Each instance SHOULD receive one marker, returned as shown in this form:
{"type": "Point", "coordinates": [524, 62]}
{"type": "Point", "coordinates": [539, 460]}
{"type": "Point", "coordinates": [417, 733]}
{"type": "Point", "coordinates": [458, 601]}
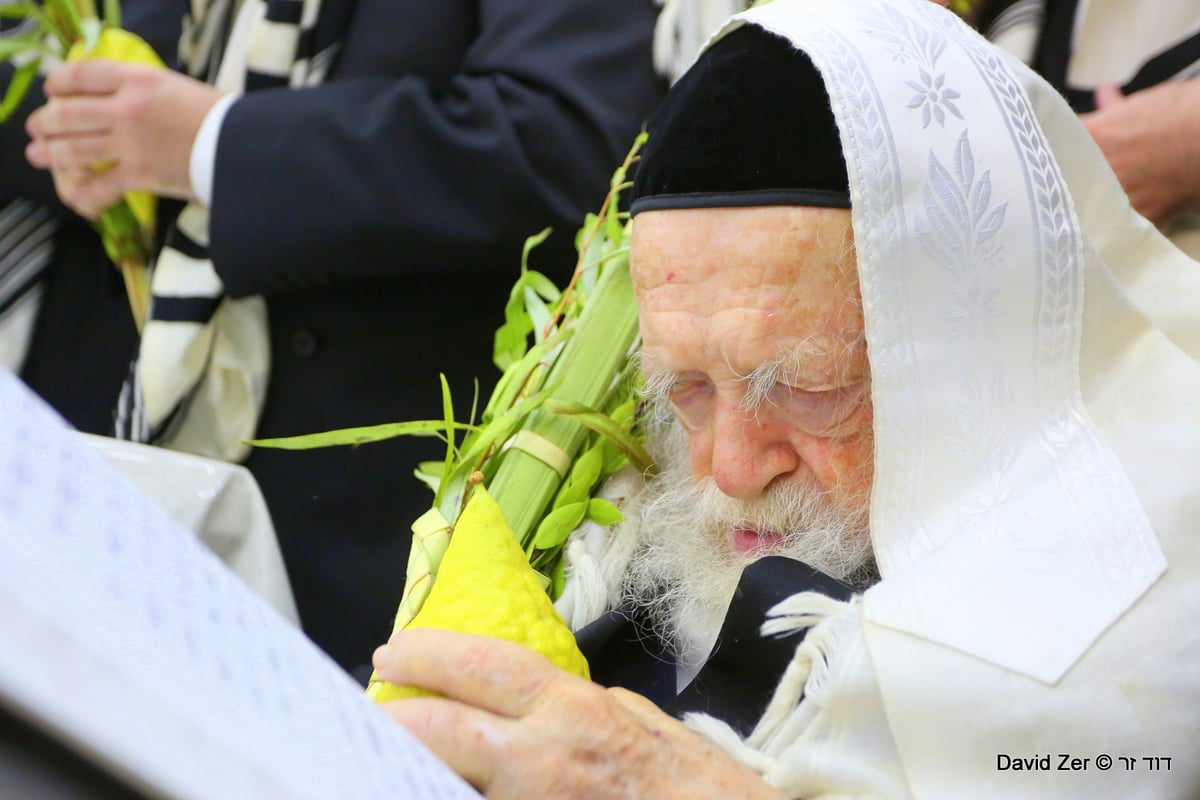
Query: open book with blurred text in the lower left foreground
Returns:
{"type": "Point", "coordinates": [129, 645]}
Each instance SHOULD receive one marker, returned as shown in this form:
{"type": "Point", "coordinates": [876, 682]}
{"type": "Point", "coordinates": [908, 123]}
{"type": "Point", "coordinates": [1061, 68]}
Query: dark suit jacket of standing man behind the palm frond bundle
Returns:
{"type": "Point", "coordinates": [382, 215]}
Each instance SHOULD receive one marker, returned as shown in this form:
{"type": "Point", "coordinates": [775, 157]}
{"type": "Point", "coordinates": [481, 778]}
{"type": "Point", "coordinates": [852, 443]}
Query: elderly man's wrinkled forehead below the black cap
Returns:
{"type": "Point", "coordinates": [746, 287]}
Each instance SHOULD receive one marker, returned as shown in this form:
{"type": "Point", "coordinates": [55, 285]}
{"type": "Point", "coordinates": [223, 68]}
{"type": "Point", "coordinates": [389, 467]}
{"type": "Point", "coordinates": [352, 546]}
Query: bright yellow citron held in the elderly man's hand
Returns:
{"type": "Point", "coordinates": [487, 586]}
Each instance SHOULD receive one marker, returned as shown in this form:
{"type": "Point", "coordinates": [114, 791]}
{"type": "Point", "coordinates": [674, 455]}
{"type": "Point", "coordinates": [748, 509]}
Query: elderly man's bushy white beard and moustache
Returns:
{"type": "Point", "coordinates": [683, 570]}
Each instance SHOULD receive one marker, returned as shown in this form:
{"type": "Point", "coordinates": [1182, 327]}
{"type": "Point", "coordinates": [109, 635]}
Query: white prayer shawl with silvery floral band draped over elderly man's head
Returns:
{"type": "Point", "coordinates": [1036, 510]}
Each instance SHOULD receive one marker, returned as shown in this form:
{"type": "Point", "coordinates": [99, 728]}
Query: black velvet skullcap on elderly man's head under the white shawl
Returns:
{"type": "Point", "coordinates": [748, 125]}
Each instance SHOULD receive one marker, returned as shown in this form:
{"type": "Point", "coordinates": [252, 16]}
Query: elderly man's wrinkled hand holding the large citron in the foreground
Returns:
{"type": "Point", "coordinates": [517, 726]}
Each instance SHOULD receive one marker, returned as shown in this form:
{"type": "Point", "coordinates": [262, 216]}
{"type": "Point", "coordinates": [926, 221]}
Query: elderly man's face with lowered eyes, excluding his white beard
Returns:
{"type": "Point", "coordinates": [753, 332]}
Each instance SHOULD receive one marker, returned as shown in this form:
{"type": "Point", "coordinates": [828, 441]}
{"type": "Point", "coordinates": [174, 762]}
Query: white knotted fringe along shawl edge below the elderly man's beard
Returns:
{"type": "Point", "coordinates": [776, 747]}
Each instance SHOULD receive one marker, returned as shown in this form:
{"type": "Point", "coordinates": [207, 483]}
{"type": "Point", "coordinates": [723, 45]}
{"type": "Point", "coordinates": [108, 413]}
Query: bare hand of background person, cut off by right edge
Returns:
{"type": "Point", "coordinates": [1153, 142]}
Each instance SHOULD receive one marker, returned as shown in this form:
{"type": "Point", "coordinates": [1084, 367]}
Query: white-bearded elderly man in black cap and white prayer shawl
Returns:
{"type": "Point", "coordinates": [908, 332]}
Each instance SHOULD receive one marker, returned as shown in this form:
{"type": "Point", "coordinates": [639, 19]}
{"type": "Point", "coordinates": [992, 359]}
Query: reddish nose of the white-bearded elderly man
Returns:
{"type": "Point", "coordinates": [749, 452]}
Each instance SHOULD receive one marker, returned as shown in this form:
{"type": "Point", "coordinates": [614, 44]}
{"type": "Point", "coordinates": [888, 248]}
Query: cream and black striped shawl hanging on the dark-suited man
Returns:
{"type": "Point", "coordinates": [201, 375]}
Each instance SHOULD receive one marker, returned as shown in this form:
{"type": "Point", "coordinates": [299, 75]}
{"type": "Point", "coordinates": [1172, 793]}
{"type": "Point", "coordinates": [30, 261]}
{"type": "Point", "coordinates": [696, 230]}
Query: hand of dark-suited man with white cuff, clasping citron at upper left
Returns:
{"type": "Point", "coordinates": [139, 122]}
